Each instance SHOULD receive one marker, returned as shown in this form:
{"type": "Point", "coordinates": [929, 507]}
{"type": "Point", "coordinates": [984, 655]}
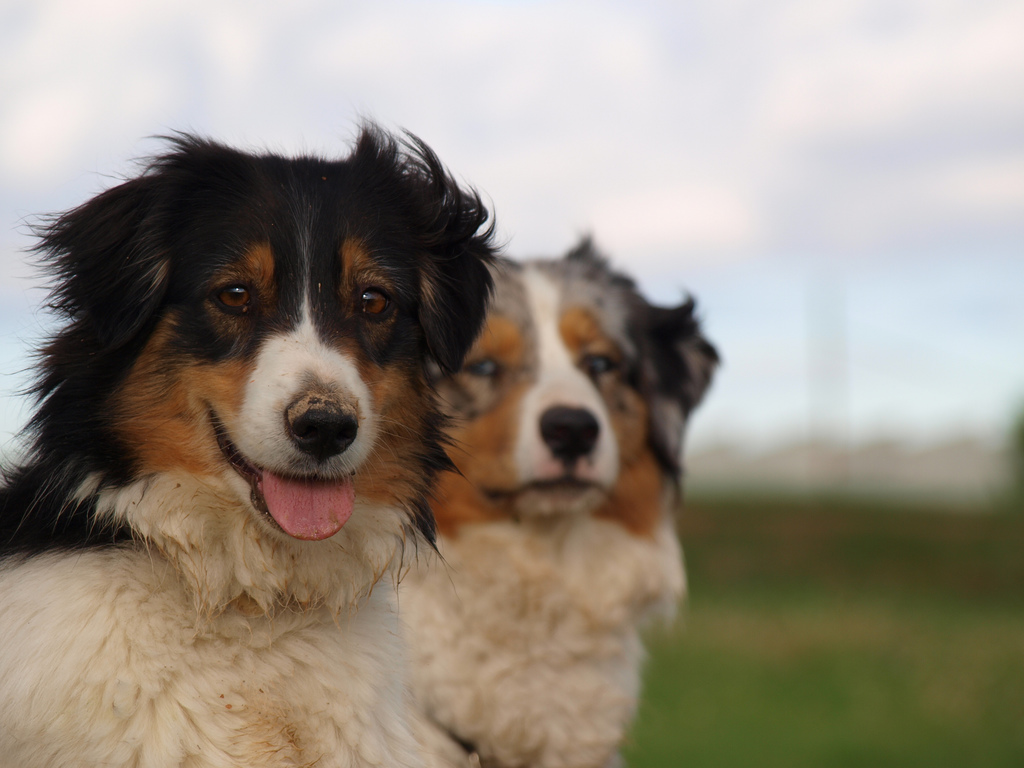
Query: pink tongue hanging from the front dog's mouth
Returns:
{"type": "Point", "coordinates": [309, 509]}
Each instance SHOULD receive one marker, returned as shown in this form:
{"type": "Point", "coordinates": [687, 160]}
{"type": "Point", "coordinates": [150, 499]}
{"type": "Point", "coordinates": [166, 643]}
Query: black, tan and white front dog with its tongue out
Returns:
{"type": "Point", "coordinates": [235, 443]}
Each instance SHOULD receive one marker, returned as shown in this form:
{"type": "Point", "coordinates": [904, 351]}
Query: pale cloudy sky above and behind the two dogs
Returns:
{"type": "Point", "coordinates": [840, 185]}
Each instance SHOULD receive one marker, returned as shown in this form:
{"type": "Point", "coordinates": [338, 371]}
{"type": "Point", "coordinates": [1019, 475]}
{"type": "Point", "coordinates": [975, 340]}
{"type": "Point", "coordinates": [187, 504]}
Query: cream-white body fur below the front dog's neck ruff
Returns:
{"type": "Point", "coordinates": [106, 663]}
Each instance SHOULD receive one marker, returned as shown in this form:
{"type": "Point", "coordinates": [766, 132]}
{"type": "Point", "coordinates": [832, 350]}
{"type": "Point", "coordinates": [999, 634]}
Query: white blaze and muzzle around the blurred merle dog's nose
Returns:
{"type": "Point", "coordinates": [560, 382]}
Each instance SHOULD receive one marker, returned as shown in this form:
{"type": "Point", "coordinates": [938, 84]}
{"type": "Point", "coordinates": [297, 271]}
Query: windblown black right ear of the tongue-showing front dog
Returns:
{"type": "Point", "coordinates": [456, 283]}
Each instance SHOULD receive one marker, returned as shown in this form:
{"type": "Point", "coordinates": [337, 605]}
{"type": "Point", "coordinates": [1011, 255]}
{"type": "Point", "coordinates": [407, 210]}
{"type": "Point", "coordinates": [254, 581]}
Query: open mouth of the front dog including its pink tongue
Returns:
{"type": "Point", "coordinates": [305, 508]}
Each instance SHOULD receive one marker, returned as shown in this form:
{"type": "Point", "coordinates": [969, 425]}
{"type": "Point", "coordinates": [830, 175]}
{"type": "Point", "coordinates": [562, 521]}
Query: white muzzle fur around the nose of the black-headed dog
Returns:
{"type": "Point", "coordinates": [285, 368]}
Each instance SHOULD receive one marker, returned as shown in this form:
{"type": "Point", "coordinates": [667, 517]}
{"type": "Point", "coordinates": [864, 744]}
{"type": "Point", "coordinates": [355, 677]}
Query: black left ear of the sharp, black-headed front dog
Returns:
{"type": "Point", "coordinates": [110, 271]}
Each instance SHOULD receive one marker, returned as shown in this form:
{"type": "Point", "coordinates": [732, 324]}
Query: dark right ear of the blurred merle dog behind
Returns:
{"type": "Point", "coordinates": [677, 368]}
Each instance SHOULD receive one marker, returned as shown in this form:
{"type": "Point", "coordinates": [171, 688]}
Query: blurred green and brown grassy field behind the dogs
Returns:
{"type": "Point", "coordinates": [840, 635]}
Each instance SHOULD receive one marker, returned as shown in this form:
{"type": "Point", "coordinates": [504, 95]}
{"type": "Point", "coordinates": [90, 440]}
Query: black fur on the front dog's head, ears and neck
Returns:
{"type": "Point", "coordinates": [148, 248]}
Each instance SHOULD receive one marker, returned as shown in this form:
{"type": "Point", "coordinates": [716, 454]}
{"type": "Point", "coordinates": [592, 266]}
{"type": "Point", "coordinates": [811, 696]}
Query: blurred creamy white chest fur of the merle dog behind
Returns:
{"type": "Point", "coordinates": [528, 644]}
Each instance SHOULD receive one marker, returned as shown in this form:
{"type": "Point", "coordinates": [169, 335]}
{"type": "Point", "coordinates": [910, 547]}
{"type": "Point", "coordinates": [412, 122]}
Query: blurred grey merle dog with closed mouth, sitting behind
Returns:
{"type": "Point", "coordinates": [559, 537]}
